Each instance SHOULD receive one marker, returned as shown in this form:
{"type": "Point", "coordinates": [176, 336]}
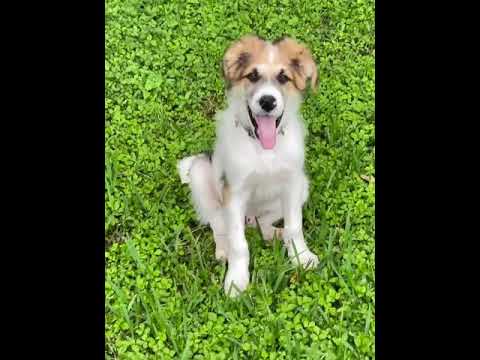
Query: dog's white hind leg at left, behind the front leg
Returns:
{"type": "Point", "coordinates": [198, 172]}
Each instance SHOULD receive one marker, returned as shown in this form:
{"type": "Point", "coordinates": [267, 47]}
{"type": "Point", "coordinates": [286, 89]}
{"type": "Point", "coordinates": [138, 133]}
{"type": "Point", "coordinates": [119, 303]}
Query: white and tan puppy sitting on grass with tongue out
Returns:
{"type": "Point", "coordinates": [256, 170]}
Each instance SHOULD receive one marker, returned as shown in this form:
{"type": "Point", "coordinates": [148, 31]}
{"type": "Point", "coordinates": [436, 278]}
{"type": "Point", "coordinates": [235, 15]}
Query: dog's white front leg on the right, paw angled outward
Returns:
{"type": "Point", "coordinates": [292, 202]}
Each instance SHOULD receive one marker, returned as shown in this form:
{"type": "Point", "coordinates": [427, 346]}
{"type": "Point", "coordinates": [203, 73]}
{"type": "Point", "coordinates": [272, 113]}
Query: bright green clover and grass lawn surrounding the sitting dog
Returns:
{"type": "Point", "coordinates": [164, 296]}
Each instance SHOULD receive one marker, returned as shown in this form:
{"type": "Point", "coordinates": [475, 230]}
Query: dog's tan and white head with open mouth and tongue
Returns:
{"type": "Point", "coordinates": [267, 75]}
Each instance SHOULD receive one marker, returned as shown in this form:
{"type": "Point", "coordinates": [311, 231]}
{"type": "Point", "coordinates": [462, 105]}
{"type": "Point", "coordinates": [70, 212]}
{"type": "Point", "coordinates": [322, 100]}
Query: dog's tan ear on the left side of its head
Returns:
{"type": "Point", "coordinates": [240, 55]}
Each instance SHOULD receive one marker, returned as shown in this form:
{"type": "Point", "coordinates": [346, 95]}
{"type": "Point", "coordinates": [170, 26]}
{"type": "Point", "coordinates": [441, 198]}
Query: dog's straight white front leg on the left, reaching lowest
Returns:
{"type": "Point", "coordinates": [238, 254]}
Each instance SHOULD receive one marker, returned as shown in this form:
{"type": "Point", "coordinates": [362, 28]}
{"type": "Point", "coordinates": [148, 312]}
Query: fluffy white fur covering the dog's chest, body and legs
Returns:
{"type": "Point", "coordinates": [267, 184]}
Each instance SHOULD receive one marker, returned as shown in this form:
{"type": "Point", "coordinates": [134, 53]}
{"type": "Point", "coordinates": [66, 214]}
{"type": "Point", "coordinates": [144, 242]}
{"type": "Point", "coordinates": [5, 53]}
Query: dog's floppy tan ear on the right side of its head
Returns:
{"type": "Point", "coordinates": [301, 62]}
